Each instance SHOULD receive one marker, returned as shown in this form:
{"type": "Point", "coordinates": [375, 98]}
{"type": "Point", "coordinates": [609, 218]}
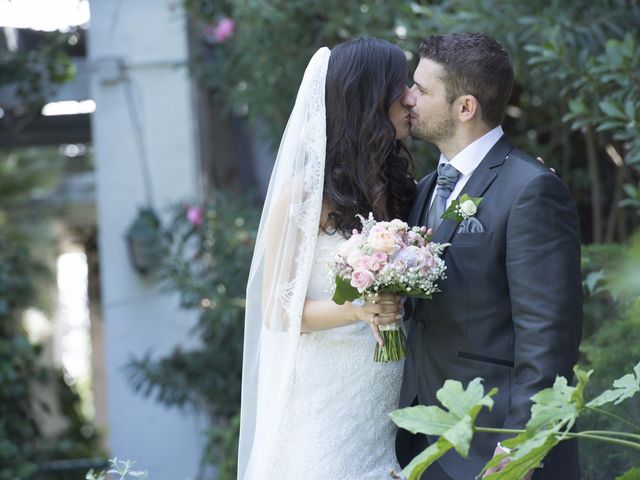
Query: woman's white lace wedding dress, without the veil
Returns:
{"type": "Point", "coordinates": [336, 426]}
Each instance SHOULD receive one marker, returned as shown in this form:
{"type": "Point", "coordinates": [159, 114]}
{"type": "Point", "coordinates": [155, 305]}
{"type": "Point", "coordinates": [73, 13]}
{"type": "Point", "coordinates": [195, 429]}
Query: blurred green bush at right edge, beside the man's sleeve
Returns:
{"type": "Point", "coordinates": [611, 345]}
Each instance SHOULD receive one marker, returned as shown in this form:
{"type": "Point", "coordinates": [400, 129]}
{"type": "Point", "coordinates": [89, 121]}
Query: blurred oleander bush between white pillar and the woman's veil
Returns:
{"type": "Point", "coordinates": [206, 261]}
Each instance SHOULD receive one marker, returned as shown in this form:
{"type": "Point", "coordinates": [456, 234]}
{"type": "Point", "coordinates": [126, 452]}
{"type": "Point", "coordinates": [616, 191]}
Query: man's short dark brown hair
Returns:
{"type": "Point", "coordinates": [474, 64]}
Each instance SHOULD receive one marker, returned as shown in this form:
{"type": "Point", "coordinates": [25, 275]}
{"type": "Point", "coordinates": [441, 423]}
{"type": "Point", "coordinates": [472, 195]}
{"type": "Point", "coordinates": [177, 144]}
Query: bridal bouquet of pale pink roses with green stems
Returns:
{"type": "Point", "coordinates": [388, 257]}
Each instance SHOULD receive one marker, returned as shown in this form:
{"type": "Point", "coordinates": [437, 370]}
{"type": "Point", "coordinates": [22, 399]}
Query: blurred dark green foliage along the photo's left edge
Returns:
{"type": "Point", "coordinates": [25, 275]}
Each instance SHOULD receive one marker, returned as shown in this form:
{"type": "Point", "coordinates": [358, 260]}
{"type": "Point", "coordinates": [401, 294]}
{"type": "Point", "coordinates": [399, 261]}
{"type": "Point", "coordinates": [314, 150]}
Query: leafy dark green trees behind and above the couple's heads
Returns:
{"type": "Point", "coordinates": [575, 101]}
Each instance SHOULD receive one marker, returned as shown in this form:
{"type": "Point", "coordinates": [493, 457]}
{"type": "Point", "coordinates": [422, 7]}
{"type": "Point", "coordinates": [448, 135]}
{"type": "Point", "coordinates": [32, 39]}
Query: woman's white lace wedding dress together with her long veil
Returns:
{"type": "Point", "coordinates": [314, 406]}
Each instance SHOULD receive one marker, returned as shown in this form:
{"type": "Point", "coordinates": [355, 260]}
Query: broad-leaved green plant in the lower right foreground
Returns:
{"type": "Point", "coordinates": [553, 415]}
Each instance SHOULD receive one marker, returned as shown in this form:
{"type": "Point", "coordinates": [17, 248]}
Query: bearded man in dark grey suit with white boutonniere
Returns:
{"type": "Point", "coordinates": [510, 310]}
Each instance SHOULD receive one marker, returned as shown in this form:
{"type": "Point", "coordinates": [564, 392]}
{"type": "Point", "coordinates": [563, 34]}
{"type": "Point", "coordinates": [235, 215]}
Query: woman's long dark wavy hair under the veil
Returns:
{"type": "Point", "coordinates": [367, 169]}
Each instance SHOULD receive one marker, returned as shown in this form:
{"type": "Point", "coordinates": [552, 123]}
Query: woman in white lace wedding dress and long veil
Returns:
{"type": "Point", "coordinates": [314, 404]}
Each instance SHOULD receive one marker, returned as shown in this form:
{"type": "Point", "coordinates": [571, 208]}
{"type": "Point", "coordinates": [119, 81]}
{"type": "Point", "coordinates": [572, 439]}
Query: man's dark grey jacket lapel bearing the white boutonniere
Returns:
{"type": "Point", "coordinates": [480, 181]}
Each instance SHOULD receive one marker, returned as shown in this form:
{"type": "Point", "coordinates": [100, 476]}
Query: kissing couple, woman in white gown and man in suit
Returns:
{"type": "Point", "coordinates": [314, 404]}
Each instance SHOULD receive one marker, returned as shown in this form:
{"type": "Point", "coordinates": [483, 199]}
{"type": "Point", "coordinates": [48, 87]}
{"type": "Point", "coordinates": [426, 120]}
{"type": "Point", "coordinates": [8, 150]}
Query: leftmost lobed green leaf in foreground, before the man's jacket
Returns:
{"type": "Point", "coordinates": [454, 425]}
